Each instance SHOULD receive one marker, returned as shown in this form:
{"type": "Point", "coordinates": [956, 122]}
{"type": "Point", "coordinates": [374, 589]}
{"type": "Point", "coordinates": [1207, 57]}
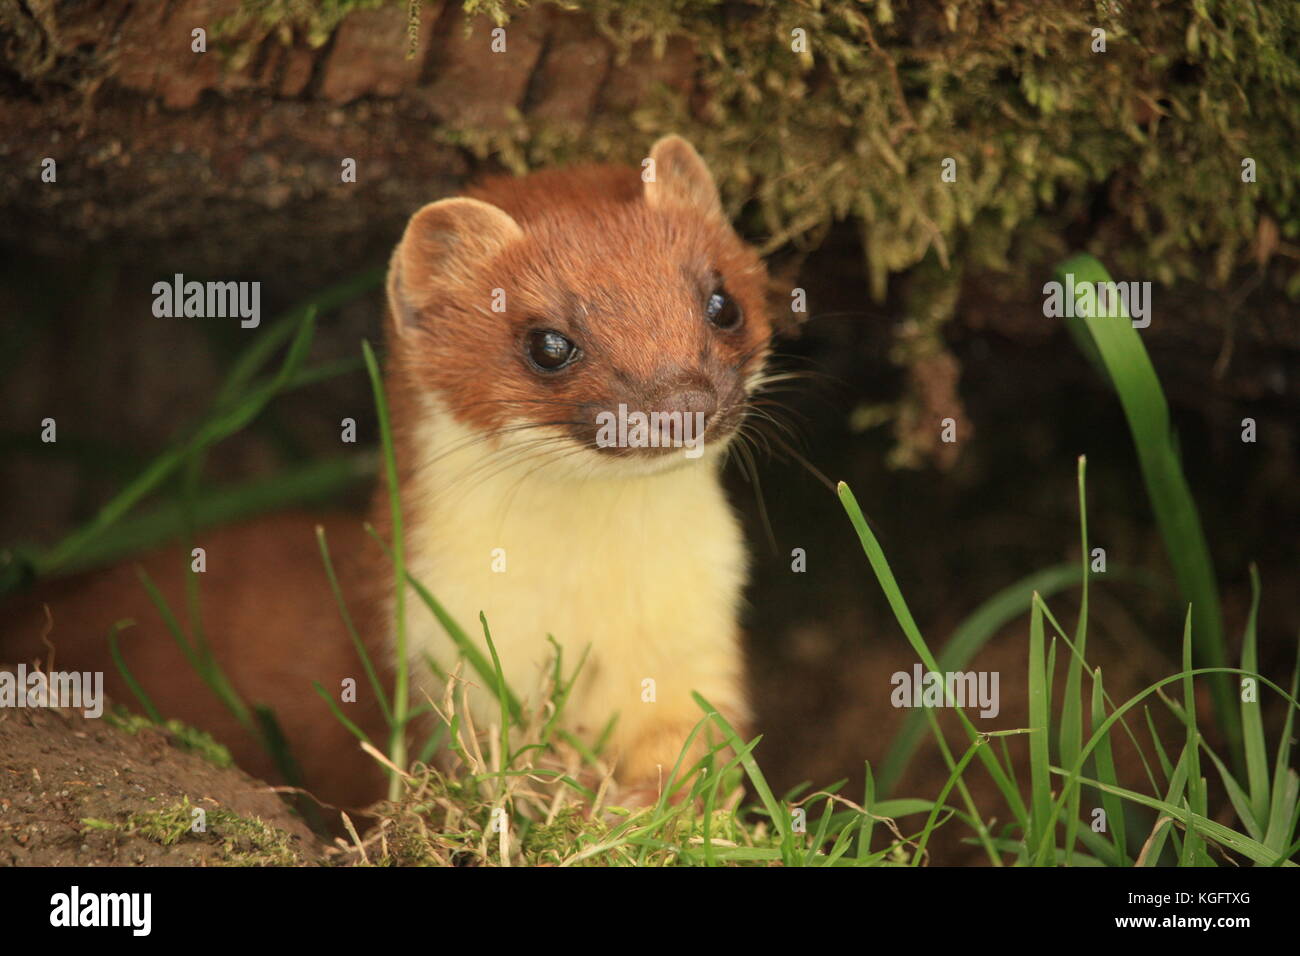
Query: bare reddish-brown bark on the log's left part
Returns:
{"type": "Point", "coordinates": [231, 161]}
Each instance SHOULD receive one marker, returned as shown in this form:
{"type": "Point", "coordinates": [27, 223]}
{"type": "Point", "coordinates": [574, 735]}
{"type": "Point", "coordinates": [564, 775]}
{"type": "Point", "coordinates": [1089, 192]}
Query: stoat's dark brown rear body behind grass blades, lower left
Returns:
{"type": "Point", "coordinates": [271, 622]}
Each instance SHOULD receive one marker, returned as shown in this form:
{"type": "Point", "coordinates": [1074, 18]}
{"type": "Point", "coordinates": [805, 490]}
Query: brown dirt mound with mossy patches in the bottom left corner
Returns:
{"type": "Point", "coordinates": [106, 793]}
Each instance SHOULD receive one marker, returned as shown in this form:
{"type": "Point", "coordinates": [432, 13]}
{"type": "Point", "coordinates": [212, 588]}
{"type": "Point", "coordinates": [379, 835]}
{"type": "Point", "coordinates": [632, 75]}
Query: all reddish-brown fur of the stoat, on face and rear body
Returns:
{"type": "Point", "coordinates": [597, 259]}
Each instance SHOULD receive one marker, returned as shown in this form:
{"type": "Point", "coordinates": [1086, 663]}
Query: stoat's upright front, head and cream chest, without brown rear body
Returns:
{"type": "Point", "coordinates": [639, 295]}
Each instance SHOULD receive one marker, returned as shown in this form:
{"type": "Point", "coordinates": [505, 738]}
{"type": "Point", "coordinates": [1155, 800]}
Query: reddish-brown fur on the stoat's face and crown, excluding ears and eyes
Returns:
{"type": "Point", "coordinates": [603, 266]}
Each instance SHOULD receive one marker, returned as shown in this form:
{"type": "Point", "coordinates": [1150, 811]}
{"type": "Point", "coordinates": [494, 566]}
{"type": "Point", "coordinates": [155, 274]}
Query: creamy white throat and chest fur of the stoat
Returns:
{"type": "Point", "coordinates": [647, 570]}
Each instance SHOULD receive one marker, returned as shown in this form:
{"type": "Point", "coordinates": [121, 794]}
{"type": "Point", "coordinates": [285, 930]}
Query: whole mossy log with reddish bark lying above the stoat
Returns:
{"type": "Point", "coordinates": [1120, 129]}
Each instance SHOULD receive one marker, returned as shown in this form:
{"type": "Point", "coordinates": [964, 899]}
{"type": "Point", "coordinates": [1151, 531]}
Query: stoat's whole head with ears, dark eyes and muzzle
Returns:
{"type": "Point", "coordinates": [553, 313]}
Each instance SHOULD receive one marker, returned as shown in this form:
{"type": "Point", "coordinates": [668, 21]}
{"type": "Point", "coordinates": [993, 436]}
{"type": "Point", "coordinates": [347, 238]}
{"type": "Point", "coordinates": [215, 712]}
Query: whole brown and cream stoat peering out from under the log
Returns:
{"type": "Point", "coordinates": [522, 319]}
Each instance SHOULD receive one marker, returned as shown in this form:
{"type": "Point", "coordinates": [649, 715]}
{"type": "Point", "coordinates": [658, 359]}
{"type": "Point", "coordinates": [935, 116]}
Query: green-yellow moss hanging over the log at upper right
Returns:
{"type": "Point", "coordinates": [861, 123]}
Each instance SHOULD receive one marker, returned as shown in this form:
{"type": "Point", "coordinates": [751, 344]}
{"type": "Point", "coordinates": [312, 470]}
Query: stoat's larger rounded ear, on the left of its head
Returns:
{"type": "Point", "coordinates": [443, 245]}
